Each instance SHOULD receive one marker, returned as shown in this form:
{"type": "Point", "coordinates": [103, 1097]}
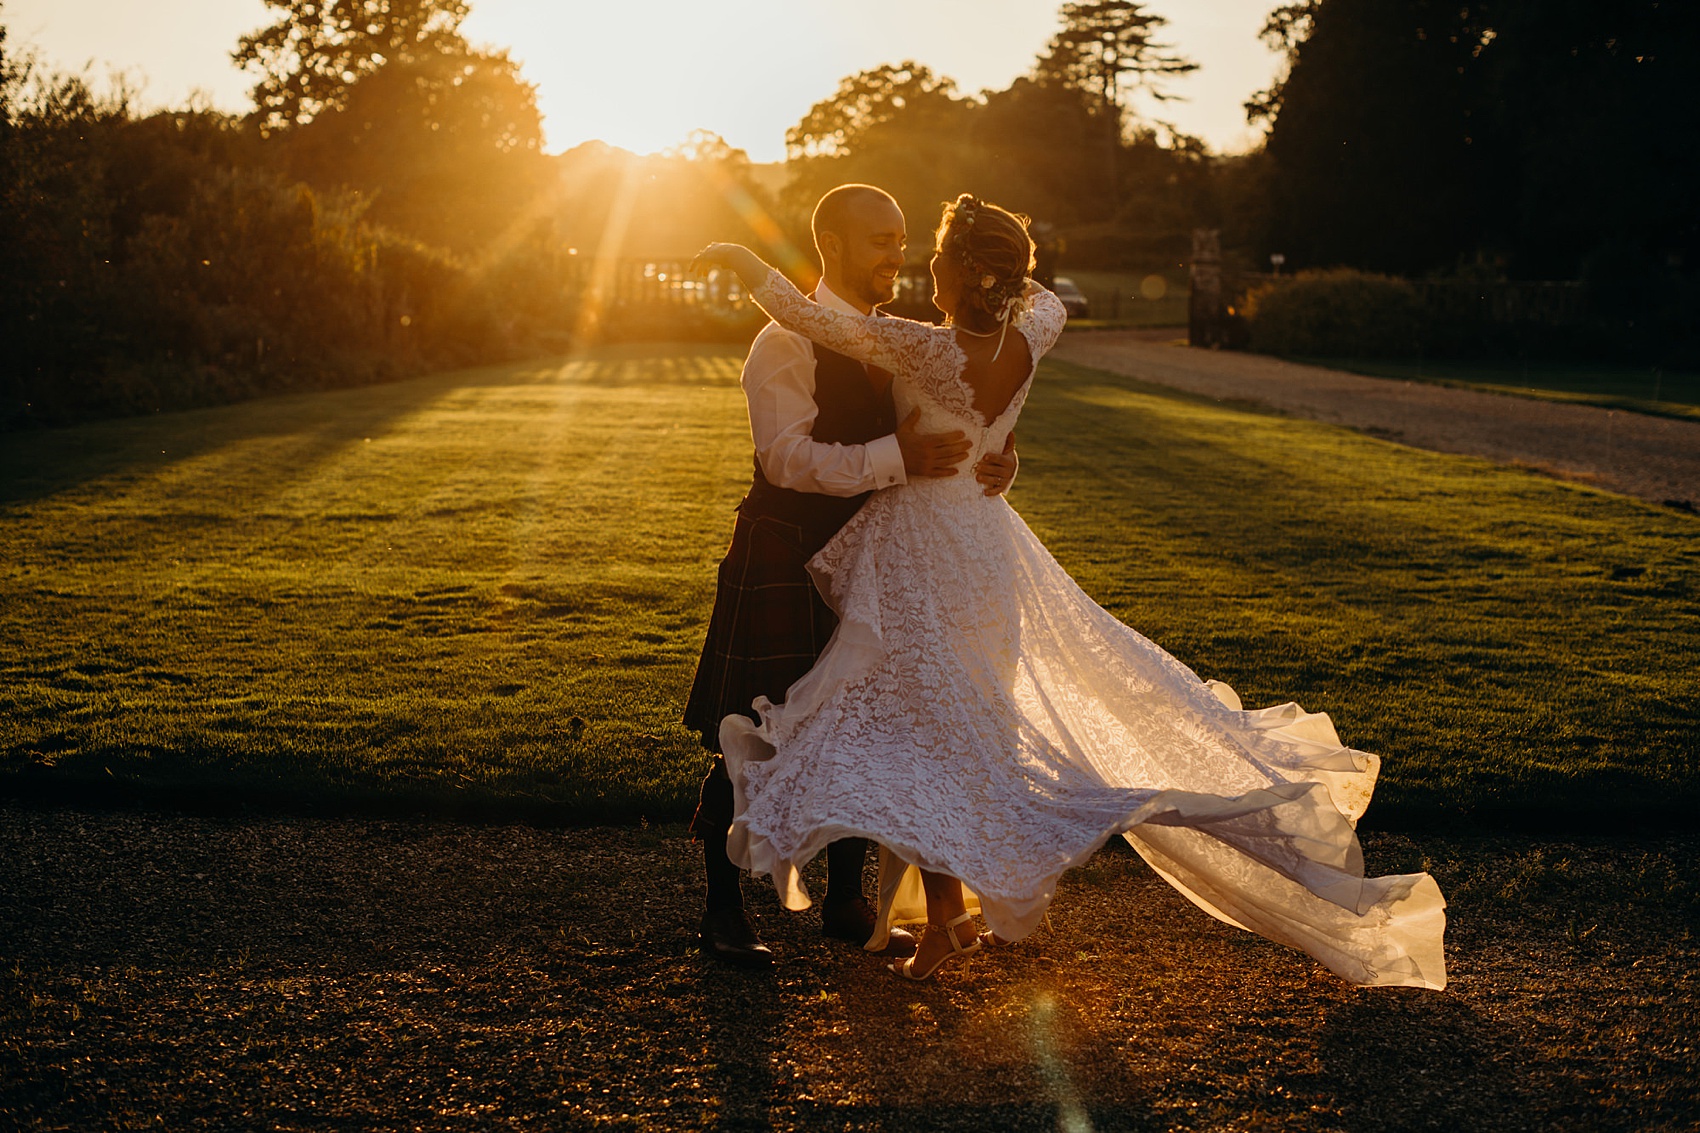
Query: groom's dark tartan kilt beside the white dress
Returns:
{"type": "Point", "coordinates": [769, 623]}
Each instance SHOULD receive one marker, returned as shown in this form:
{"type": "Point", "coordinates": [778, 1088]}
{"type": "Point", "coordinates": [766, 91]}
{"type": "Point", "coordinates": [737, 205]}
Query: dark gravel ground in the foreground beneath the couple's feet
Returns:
{"type": "Point", "coordinates": [293, 974]}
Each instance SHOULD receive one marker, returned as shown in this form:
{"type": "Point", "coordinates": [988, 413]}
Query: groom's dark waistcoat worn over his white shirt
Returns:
{"type": "Point", "coordinates": [851, 413]}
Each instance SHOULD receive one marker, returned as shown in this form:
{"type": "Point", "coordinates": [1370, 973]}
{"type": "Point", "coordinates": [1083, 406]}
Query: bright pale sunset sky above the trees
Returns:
{"type": "Point", "coordinates": [744, 69]}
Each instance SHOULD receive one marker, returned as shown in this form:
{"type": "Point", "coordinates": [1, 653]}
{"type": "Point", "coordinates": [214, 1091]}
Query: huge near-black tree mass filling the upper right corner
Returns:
{"type": "Point", "coordinates": [1551, 139]}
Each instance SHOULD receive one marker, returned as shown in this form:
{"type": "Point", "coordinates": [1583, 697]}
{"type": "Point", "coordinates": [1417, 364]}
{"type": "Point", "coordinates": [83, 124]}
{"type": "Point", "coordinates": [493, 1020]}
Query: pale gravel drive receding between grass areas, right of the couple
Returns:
{"type": "Point", "coordinates": [1655, 458]}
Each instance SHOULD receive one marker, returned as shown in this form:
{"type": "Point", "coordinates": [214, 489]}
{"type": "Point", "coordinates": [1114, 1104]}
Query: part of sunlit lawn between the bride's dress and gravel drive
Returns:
{"type": "Point", "coordinates": [1507, 642]}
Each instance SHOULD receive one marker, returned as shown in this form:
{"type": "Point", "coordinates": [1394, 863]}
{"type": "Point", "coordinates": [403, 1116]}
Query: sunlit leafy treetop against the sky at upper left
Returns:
{"type": "Point", "coordinates": [317, 50]}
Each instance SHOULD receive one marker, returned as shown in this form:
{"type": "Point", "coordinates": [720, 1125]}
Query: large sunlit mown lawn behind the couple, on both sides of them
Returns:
{"type": "Point", "coordinates": [487, 591]}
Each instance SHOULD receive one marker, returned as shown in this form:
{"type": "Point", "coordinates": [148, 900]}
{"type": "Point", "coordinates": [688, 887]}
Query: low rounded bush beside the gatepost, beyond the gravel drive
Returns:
{"type": "Point", "coordinates": [1337, 314]}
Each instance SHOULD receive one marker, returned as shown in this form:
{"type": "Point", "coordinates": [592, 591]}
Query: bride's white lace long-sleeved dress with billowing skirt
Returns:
{"type": "Point", "coordinates": [978, 715]}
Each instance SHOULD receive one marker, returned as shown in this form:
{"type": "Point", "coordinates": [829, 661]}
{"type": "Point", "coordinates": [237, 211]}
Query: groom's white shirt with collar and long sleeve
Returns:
{"type": "Point", "coordinates": [779, 385]}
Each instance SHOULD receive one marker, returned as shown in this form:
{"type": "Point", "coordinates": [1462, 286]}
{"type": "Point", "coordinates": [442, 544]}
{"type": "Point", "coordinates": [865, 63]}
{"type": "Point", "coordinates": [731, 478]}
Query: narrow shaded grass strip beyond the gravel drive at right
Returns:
{"type": "Point", "coordinates": [1638, 389]}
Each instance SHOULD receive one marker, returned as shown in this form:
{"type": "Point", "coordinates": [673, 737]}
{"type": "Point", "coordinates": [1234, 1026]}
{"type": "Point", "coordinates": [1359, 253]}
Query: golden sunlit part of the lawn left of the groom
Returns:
{"type": "Point", "coordinates": [487, 584]}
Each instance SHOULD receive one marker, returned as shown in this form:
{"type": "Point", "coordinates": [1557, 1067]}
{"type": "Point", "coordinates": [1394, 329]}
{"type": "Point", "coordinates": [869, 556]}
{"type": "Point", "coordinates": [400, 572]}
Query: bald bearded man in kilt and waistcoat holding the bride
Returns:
{"type": "Point", "coordinates": [825, 438]}
